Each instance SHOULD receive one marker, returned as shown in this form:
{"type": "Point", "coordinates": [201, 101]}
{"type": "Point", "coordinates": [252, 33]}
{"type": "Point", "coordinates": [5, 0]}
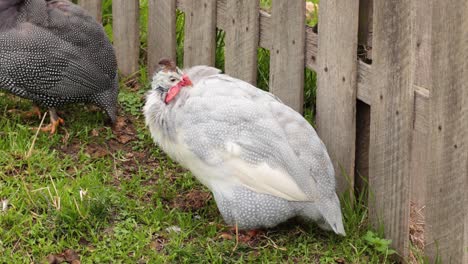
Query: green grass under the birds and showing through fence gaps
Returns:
{"type": "Point", "coordinates": [133, 195]}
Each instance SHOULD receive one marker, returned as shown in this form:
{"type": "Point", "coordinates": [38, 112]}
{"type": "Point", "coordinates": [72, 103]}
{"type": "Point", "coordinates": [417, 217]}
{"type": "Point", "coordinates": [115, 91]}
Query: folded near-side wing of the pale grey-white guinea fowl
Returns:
{"type": "Point", "coordinates": [244, 140]}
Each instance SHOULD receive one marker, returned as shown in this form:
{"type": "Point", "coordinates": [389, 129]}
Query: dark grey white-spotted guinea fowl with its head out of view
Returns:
{"type": "Point", "coordinates": [53, 53]}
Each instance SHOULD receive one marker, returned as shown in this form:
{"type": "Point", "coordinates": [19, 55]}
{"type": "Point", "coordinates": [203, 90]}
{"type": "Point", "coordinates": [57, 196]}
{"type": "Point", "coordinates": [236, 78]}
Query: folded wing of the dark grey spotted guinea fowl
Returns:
{"type": "Point", "coordinates": [37, 61]}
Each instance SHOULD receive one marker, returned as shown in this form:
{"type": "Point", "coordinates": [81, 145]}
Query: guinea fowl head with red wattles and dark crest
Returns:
{"type": "Point", "coordinates": [169, 80]}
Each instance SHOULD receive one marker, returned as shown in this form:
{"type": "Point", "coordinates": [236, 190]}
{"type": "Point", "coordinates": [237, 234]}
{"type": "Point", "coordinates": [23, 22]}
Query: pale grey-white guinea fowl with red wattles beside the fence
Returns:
{"type": "Point", "coordinates": [262, 160]}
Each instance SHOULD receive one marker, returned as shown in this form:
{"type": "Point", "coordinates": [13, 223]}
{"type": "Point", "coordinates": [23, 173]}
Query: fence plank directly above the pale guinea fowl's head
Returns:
{"type": "Point", "coordinates": [162, 41]}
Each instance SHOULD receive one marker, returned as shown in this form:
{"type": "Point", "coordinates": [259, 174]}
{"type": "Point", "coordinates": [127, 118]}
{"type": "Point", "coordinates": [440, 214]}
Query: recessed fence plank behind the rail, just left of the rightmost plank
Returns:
{"type": "Point", "coordinates": [421, 45]}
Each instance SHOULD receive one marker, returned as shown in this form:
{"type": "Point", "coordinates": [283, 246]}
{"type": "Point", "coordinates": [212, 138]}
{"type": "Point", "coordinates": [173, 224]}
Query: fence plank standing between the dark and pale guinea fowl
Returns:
{"type": "Point", "coordinates": [125, 26]}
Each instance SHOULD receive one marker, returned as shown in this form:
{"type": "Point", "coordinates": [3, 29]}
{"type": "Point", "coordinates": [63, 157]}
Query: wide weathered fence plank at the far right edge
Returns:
{"type": "Point", "coordinates": [446, 209]}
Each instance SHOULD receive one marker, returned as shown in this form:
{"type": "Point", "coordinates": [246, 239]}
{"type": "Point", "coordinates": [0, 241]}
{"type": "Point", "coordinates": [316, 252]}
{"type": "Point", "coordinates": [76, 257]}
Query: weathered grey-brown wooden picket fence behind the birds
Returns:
{"type": "Point", "coordinates": [401, 121]}
